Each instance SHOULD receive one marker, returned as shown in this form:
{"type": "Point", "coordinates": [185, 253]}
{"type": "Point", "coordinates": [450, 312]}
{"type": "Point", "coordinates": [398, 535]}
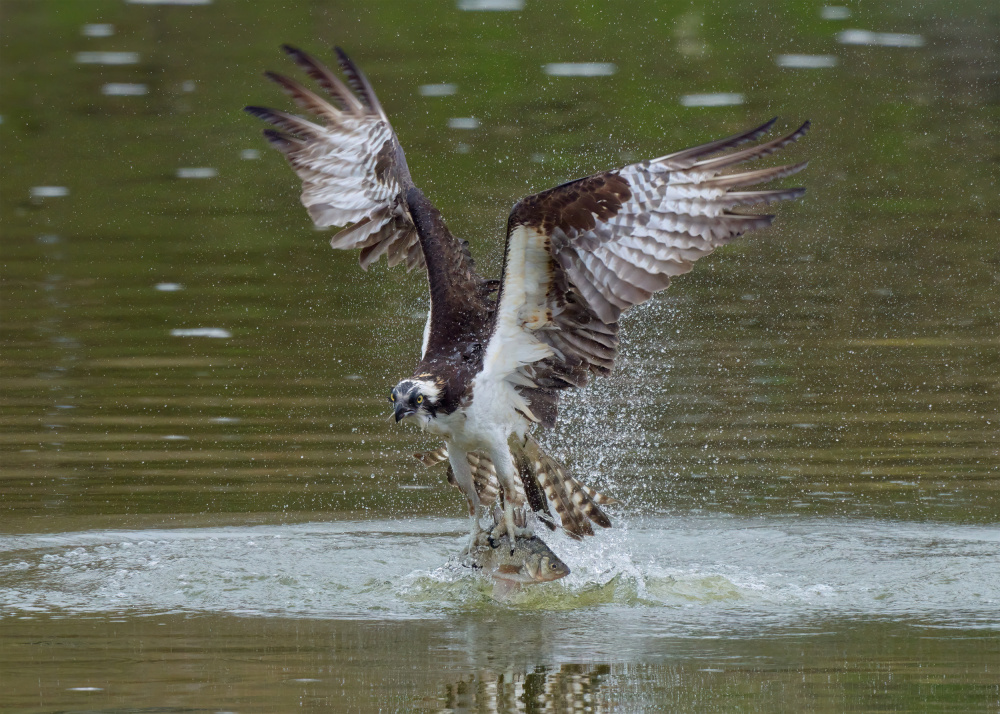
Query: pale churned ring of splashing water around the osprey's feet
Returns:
{"type": "Point", "coordinates": [700, 571]}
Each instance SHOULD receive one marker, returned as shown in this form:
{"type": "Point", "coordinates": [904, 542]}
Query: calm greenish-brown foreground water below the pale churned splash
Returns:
{"type": "Point", "coordinates": [223, 663]}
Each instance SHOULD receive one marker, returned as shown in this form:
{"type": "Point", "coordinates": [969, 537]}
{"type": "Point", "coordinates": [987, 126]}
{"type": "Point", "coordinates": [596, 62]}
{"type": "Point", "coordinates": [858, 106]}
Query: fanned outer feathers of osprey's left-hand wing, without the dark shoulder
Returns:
{"type": "Point", "coordinates": [352, 166]}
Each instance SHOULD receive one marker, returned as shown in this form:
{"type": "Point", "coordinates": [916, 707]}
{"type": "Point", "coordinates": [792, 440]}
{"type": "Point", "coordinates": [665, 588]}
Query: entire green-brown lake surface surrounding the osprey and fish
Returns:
{"type": "Point", "coordinates": [203, 507]}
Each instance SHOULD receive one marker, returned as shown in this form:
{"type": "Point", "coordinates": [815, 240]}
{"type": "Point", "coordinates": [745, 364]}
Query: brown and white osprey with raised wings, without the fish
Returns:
{"type": "Point", "coordinates": [497, 354]}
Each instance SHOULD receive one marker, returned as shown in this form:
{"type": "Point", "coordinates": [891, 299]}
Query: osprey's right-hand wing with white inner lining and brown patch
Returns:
{"type": "Point", "coordinates": [580, 254]}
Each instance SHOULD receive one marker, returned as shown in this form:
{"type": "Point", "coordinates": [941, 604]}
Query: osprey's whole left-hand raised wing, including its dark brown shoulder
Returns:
{"type": "Point", "coordinates": [353, 171]}
